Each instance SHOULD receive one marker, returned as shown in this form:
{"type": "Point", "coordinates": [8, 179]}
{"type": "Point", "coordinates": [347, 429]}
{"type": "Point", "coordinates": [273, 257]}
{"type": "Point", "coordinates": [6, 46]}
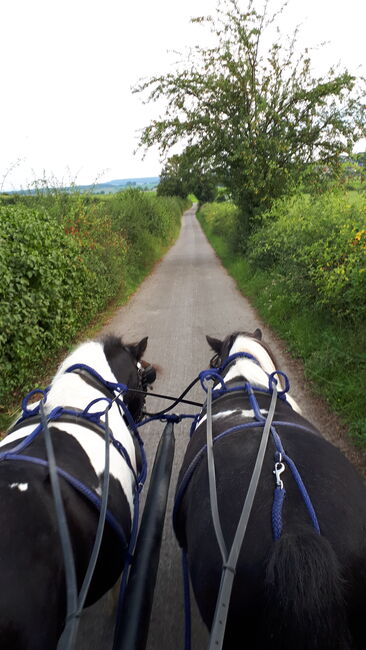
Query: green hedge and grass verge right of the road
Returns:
{"type": "Point", "coordinates": [304, 271]}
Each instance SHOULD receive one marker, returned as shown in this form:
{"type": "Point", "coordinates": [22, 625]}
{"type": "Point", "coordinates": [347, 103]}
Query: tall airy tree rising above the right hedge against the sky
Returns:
{"type": "Point", "coordinates": [254, 114]}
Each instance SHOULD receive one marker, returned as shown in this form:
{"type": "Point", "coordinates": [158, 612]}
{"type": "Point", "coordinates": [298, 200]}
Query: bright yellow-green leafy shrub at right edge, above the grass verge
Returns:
{"type": "Point", "coordinates": [318, 247]}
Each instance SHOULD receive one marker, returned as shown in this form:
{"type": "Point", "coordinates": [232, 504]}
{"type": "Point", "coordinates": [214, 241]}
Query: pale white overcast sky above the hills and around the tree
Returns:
{"type": "Point", "coordinates": [67, 112]}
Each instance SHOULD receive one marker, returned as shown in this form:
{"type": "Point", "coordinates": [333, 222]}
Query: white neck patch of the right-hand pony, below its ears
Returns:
{"type": "Point", "coordinates": [253, 371]}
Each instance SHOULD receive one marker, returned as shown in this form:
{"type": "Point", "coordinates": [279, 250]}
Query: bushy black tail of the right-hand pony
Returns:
{"type": "Point", "coordinates": [305, 596]}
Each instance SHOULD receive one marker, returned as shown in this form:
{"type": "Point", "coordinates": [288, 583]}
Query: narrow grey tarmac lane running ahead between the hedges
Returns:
{"type": "Point", "coordinates": [188, 295]}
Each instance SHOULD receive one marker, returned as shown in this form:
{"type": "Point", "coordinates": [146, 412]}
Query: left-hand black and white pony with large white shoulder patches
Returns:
{"type": "Point", "coordinates": [32, 593]}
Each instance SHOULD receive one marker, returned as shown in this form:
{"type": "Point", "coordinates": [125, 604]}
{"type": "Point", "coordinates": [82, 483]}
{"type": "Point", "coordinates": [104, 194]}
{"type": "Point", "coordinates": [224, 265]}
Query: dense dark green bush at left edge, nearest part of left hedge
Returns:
{"type": "Point", "coordinates": [54, 280]}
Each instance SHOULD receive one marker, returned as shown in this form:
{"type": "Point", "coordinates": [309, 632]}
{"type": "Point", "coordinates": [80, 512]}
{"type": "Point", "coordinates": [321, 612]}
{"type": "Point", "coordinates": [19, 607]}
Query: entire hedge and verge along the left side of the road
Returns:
{"type": "Point", "coordinates": [64, 259]}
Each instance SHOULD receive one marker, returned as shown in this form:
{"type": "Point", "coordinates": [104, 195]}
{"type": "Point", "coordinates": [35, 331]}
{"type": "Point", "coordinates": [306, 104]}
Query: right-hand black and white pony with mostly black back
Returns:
{"type": "Point", "coordinates": [300, 578]}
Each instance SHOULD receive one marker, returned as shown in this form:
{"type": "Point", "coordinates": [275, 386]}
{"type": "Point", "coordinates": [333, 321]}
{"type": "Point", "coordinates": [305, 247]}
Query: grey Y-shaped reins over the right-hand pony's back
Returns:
{"type": "Point", "coordinates": [230, 560]}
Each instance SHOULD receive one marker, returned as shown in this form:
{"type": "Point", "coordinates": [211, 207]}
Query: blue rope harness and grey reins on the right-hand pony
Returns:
{"type": "Point", "coordinates": [268, 425]}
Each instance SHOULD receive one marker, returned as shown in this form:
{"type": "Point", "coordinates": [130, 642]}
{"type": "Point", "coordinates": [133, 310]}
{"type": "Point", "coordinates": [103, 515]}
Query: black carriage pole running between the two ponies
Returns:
{"type": "Point", "coordinates": [134, 618]}
